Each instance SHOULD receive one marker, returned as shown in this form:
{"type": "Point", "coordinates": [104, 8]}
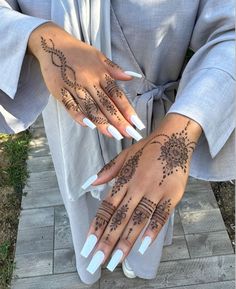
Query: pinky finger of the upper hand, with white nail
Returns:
{"type": "Point", "coordinates": [73, 109]}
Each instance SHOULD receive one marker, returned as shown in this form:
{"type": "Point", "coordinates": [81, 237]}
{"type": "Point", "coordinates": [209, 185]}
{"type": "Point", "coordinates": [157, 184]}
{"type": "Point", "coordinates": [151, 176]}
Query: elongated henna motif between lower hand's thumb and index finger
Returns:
{"type": "Point", "coordinates": [127, 172]}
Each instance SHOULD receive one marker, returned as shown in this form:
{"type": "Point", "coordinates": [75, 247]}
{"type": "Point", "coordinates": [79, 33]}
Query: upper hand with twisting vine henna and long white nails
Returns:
{"type": "Point", "coordinates": [83, 80]}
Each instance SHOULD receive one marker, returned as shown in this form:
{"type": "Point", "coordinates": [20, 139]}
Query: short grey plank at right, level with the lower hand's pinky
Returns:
{"type": "Point", "coordinates": [202, 221]}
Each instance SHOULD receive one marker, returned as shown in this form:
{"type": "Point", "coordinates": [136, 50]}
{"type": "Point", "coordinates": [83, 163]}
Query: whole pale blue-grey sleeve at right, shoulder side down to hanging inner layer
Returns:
{"type": "Point", "coordinates": [206, 91]}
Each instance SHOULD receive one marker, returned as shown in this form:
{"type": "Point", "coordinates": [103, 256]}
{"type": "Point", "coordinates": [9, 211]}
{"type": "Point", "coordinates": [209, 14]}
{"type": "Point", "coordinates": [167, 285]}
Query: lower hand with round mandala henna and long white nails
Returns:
{"type": "Point", "coordinates": [150, 181]}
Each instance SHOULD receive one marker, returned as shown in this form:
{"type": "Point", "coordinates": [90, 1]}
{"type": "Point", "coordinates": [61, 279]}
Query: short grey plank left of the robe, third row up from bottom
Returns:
{"type": "Point", "coordinates": [34, 240]}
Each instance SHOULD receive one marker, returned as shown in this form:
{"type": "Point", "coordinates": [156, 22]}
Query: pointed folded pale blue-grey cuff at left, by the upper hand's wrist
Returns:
{"type": "Point", "coordinates": [16, 28]}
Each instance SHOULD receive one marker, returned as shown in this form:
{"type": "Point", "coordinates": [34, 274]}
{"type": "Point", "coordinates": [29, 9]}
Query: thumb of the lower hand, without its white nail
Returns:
{"type": "Point", "coordinates": [111, 169]}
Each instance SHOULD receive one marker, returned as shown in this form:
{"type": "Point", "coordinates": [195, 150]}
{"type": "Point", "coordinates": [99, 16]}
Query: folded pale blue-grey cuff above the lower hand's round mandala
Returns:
{"type": "Point", "coordinates": [207, 97]}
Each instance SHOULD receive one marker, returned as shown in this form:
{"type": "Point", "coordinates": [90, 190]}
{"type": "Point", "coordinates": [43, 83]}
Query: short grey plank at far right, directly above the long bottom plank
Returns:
{"type": "Point", "coordinates": [209, 244]}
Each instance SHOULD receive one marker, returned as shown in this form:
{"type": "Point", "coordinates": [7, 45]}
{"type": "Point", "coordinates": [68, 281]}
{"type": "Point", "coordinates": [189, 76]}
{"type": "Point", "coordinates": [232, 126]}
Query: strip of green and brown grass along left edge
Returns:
{"type": "Point", "coordinates": [13, 175]}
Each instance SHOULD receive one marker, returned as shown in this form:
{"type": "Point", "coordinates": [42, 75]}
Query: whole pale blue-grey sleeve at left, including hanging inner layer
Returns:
{"type": "Point", "coordinates": [19, 107]}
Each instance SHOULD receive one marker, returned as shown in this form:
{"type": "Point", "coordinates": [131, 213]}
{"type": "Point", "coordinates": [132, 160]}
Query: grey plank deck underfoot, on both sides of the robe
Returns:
{"type": "Point", "coordinates": [201, 256]}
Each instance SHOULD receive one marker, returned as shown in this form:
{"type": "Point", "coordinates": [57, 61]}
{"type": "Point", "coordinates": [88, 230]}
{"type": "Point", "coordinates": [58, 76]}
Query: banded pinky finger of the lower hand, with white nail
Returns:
{"type": "Point", "coordinates": [157, 221]}
